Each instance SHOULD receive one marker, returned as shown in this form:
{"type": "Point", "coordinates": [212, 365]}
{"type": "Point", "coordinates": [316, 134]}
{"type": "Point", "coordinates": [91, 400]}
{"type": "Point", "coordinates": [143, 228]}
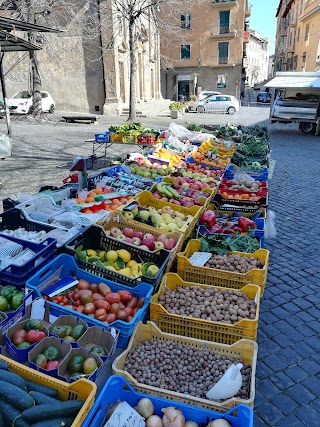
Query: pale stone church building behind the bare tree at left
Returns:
{"type": "Point", "coordinates": [90, 73]}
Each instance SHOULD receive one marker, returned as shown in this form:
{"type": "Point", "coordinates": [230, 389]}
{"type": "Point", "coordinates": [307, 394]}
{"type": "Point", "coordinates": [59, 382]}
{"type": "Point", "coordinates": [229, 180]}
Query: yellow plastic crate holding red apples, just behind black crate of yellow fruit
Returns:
{"type": "Point", "coordinates": [115, 219]}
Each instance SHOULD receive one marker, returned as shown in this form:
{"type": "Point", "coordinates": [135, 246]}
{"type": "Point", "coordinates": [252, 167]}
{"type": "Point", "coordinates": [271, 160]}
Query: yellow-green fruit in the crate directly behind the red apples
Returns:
{"type": "Point", "coordinates": [165, 218]}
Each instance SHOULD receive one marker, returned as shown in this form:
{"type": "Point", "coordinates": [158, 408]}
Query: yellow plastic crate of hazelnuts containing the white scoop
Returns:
{"type": "Point", "coordinates": [245, 350]}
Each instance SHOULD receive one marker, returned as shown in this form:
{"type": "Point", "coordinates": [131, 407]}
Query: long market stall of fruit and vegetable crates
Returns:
{"type": "Point", "coordinates": [153, 271]}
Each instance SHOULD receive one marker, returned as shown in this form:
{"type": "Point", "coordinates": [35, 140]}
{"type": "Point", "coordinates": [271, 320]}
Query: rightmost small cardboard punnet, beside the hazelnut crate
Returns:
{"type": "Point", "coordinates": [106, 338]}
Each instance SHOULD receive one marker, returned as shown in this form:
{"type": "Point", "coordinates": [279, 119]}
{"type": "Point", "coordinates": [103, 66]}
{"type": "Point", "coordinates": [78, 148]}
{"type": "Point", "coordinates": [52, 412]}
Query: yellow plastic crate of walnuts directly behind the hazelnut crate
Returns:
{"type": "Point", "coordinates": [200, 328]}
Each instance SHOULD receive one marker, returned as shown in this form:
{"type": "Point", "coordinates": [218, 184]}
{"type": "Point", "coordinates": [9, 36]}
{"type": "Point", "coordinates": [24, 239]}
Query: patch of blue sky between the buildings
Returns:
{"type": "Point", "coordinates": [263, 19]}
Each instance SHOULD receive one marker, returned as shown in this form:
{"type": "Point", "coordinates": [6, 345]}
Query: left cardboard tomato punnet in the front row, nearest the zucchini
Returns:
{"type": "Point", "coordinates": [63, 346]}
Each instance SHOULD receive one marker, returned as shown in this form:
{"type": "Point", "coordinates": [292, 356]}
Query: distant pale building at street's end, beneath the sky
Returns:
{"type": "Point", "coordinates": [257, 58]}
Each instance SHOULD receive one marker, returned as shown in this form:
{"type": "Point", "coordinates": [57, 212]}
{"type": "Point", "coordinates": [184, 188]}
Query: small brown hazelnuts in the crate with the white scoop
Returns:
{"type": "Point", "coordinates": [181, 367]}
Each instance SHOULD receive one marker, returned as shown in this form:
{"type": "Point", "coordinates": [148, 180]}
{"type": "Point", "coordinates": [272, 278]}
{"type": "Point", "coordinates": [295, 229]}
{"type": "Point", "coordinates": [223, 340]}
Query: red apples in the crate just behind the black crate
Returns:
{"type": "Point", "coordinates": [146, 241]}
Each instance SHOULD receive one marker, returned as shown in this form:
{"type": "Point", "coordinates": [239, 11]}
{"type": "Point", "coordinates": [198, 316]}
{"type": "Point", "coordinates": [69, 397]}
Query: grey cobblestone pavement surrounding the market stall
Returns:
{"type": "Point", "coordinates": [288, 369]}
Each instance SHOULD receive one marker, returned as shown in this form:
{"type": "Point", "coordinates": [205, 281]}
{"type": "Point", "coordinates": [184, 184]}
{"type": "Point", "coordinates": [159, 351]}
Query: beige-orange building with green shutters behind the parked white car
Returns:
{"type": "Point", "coordinates": [208, 51]}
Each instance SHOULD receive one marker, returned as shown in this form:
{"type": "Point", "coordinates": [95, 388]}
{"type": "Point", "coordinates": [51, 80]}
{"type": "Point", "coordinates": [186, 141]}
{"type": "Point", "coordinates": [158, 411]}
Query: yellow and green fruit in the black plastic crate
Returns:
{"type": "Point", "coordinates": [120, 260]}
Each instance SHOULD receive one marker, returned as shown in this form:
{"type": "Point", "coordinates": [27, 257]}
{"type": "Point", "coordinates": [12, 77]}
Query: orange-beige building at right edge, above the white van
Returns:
{"type": "Point", "coordinates": [298, 36]}
